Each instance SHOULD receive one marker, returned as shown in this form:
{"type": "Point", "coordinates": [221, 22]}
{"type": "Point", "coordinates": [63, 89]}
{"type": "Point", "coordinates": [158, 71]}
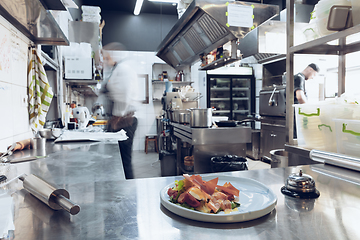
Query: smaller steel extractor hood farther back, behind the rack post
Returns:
{"type": "Point", "coordinates": [267, 42]}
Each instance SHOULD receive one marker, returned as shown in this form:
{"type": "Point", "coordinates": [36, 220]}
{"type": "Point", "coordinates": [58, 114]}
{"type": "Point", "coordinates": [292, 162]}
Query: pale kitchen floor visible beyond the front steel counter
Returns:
{"type": "Point", "coordinates": [148, 165]}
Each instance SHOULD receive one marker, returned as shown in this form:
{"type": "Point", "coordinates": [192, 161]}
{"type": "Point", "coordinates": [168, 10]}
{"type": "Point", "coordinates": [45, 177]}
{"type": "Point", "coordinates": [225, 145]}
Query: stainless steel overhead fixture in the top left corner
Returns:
{"type": "Point", "coordinates": [34, 20]}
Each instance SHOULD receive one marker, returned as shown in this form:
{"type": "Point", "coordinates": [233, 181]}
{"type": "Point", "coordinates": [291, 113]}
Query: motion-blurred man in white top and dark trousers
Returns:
{"type": "Point", "coordinates": [120, 87]}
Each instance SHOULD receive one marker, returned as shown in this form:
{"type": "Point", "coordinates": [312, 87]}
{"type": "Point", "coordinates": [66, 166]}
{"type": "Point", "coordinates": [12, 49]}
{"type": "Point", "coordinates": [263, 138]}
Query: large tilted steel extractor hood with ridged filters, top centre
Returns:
{"type": "Point", "coordinates": [204, 27]}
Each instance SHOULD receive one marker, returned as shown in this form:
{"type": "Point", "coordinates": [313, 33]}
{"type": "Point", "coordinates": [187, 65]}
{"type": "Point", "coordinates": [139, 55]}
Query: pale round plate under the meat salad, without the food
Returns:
{"type": "Point", "coordinates": [256, 201]}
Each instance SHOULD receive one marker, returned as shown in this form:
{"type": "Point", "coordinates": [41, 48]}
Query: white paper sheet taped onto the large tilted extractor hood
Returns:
{"type": "Point", "coordinates": [240, 15]}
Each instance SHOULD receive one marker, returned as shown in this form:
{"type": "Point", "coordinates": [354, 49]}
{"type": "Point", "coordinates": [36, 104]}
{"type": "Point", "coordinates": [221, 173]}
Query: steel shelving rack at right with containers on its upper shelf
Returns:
{"type": "Point", "coordinates": [340, 45]}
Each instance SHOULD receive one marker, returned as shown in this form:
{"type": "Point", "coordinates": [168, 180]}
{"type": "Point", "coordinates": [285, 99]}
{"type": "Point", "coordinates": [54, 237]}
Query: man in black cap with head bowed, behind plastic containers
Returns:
{"type": "Point", "coordinates": [299, 82]}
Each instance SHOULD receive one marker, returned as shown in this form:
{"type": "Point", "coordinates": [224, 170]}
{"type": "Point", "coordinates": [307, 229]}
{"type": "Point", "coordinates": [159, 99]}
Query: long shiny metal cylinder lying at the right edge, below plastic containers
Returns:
{"type": "Point", "coordinates": [336, 159]}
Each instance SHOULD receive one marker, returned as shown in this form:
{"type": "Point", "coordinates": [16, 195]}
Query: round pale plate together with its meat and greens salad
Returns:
{"type": "Point", "coordinates": [217, 198]}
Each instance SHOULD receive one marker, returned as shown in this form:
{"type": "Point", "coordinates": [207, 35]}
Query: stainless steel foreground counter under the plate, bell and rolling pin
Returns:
{"type": "Point", "coordinates": [113, 208]}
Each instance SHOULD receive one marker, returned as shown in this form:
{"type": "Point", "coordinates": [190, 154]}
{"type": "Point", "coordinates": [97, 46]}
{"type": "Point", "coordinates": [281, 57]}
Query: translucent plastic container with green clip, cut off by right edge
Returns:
{"type": "Point", "coordinates": [348, 136]}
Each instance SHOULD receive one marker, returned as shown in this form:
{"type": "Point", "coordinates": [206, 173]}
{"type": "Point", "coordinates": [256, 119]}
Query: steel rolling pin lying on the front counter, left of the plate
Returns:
{"type": "Point", "coordinates": [55, 198]}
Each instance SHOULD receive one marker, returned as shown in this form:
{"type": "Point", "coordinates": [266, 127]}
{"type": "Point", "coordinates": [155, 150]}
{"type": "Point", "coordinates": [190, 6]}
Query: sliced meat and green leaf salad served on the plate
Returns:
{"type": "Point", "coordinates": [205, 196]}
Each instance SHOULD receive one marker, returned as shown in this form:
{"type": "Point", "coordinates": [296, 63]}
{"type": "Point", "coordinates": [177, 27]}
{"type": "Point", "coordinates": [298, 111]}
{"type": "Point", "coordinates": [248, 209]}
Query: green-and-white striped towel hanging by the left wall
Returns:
{"type": "Point", "coordinates": [40, 92]}
